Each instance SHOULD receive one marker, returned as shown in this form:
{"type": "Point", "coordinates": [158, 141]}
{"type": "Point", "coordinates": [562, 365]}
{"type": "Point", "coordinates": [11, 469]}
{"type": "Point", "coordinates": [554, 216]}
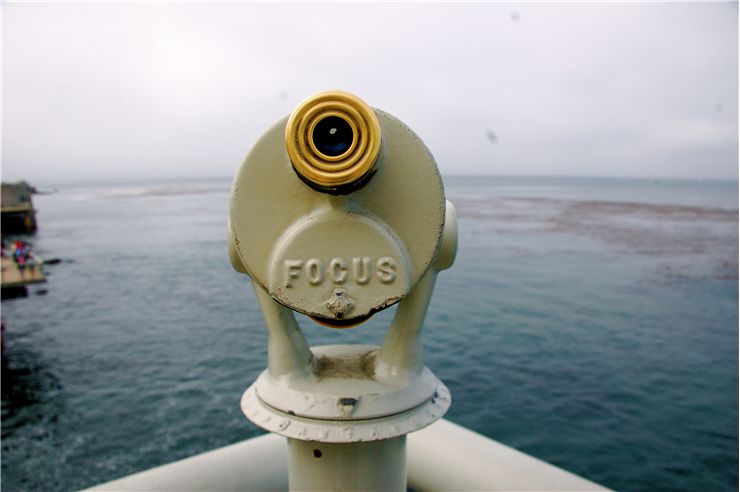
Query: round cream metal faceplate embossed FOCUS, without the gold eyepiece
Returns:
{"type": "Point", "coordinates": [301, 245]}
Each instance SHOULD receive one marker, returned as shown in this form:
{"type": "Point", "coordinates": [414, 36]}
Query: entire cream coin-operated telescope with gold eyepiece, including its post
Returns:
{"type": "Point", "coordinates": [338, 212]}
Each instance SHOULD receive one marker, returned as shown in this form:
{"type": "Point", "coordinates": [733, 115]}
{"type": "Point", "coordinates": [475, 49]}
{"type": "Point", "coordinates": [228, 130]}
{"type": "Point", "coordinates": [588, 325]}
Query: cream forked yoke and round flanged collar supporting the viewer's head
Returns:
{"type": "Point", "coordinates": [348, 393]}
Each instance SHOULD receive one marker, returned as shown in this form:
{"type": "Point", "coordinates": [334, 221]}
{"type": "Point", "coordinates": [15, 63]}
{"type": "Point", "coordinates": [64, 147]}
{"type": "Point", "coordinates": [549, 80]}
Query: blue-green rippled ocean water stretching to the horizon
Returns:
{"type": "Point", "coordinates": [592, 323]}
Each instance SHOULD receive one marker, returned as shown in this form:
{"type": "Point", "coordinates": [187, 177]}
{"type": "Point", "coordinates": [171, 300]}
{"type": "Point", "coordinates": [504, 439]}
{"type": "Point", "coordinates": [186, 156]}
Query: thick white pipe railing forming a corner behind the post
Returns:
{"type": "Point", "coordinates": [441, 457]}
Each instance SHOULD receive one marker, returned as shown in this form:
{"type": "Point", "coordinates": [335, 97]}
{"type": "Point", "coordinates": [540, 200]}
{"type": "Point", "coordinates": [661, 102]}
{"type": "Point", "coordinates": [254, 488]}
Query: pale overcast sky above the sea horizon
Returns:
{"type": "Point", "coordinates": [136, 90]}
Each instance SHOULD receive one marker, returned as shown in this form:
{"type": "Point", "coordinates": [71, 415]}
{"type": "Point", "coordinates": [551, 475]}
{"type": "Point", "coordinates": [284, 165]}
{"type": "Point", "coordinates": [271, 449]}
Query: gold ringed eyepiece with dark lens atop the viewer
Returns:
{"type": "Point", "coordinates": [333, 140]}
